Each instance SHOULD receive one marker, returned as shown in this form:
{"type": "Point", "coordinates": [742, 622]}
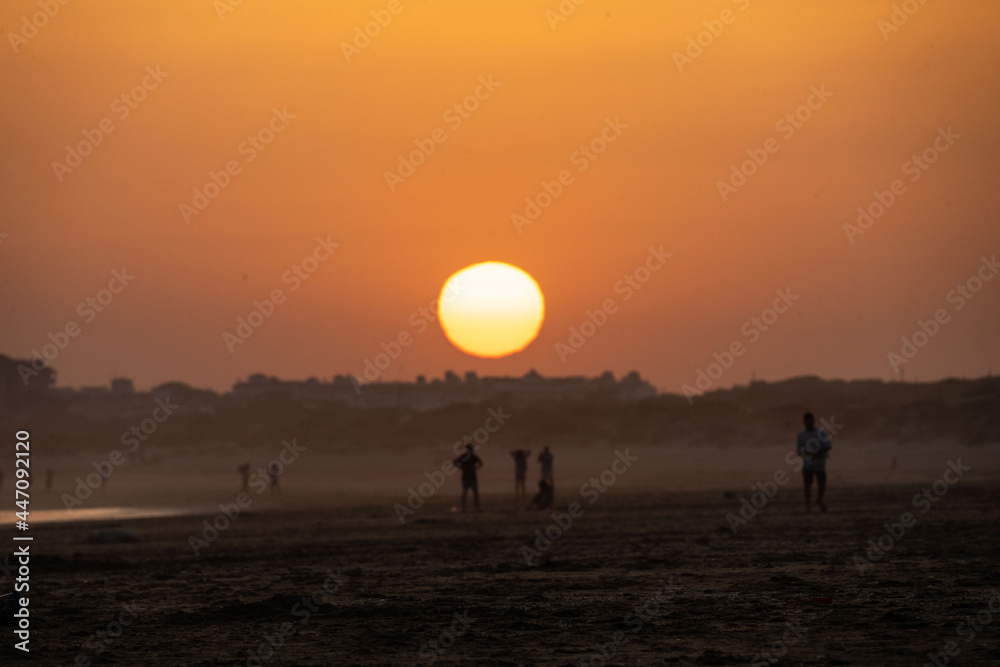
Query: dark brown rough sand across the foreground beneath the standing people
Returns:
{"type": "Point", "coordinates": [648, 579]}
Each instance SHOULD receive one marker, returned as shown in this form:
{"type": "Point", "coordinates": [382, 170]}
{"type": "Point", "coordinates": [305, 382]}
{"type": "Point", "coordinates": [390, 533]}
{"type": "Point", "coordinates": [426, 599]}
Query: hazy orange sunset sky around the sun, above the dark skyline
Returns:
{"type": "Point", "coordinates": [553, 90]}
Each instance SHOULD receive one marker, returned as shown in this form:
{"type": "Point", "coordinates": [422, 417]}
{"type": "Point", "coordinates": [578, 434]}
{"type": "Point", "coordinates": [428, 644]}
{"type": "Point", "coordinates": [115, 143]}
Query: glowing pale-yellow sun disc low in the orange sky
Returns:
{"type": "Point", "coordinates": [491, 309]}
